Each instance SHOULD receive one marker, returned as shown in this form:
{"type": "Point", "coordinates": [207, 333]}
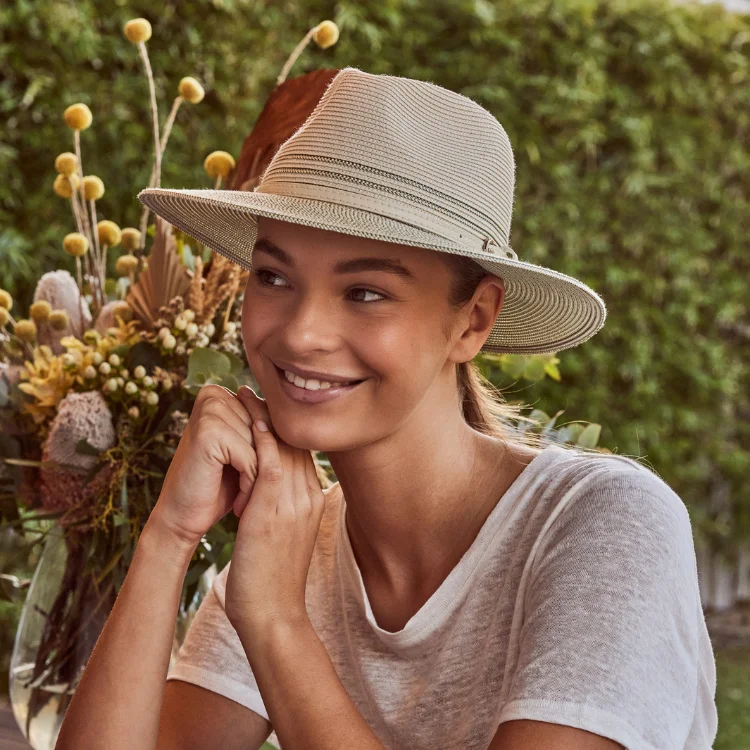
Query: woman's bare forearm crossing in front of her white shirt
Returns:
{"type": "Point", "coordinates": [307, 704]}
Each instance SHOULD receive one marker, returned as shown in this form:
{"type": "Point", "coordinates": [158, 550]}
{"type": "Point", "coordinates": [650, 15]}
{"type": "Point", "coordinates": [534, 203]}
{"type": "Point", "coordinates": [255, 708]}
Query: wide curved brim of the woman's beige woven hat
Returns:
{"type": "Point", "coordinates": [544, 311]}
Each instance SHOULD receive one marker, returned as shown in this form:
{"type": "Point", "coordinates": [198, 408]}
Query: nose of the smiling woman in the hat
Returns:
{"type": "Point", "coordinates": [309, 325]}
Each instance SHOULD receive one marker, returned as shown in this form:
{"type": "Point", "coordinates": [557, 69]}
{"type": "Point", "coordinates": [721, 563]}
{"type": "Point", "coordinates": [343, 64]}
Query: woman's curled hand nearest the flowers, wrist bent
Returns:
{"type": "Point", "coordinates": [214, 468]}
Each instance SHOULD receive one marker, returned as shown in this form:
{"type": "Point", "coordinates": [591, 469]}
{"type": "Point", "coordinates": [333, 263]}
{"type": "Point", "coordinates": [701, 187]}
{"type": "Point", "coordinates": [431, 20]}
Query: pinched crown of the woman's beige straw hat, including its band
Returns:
{"type": "Point", "coordinates": [413, 148]}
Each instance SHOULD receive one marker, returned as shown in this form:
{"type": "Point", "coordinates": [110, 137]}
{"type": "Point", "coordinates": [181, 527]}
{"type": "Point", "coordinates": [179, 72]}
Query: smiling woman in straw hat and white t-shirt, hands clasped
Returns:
{"type": "Point", "coordinates": [461, 585]}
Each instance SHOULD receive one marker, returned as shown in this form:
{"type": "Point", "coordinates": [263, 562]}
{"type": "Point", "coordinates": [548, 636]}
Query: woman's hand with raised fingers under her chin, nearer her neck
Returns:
{"type": "Point", "coordinates": [277, 530]}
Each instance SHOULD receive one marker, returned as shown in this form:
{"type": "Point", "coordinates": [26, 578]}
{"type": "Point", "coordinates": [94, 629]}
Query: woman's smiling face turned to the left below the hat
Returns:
{"type": "Point", "coordinates": [331, 308]}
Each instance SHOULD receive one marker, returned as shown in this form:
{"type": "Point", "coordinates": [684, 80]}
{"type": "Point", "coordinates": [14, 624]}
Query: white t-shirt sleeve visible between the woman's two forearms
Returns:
{"type": "Point", "coordinates": [212, 655]}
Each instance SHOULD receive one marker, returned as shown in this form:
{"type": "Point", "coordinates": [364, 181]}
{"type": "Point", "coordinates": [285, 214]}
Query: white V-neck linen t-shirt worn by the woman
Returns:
{"type": "Point", "coordinates": [577, 603]}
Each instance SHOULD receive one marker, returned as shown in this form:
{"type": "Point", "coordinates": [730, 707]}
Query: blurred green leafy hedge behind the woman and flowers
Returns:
{"type": "Point", "coordinates": [629, 122]}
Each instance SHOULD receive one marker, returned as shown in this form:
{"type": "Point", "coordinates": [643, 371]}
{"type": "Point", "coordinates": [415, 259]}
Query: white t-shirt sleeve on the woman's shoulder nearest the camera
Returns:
{"type": "Point", "coordinates": [613, 631]}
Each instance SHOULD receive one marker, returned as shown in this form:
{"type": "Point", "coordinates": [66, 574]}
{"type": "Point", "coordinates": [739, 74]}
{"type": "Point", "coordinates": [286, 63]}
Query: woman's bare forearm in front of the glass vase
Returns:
{"type": "Point", "coordinates": [118, 701]}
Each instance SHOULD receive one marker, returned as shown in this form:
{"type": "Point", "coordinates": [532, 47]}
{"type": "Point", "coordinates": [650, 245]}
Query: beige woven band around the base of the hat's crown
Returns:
{"type": "Point", "coordinates": [390, 201]}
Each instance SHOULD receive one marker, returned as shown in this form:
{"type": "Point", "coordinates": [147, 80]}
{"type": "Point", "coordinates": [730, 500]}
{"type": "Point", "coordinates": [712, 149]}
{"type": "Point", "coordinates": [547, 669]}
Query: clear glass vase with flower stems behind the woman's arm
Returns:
{"type": "Point", "coordinates": [63, 615]}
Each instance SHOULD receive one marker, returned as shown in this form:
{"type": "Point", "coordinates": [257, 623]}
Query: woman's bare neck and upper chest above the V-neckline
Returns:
{"type": "Point", "coordinates": [416, 499]}
